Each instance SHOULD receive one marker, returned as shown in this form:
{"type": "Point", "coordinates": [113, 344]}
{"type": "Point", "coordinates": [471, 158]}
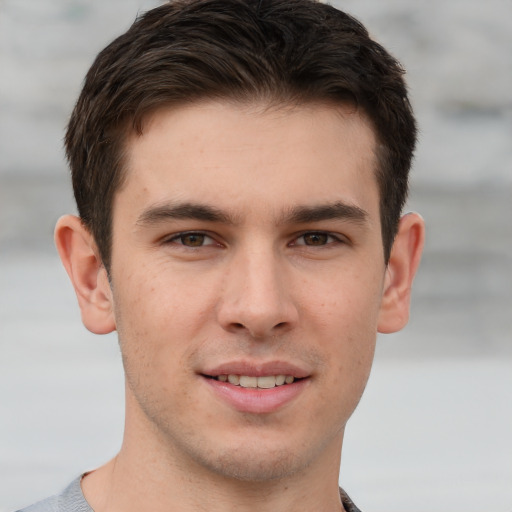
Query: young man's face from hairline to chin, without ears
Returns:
{"type": "Point", "coordinates": [247, 242]}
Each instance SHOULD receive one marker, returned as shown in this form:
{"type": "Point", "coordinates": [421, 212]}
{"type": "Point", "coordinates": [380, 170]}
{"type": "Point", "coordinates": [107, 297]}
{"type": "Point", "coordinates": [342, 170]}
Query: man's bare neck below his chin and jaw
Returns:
{"type": "Point", "coordinates": [149, 475]}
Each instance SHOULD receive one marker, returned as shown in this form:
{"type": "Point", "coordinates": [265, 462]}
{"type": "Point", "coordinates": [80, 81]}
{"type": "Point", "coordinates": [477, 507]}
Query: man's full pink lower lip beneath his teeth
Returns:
{"type": "Point", "coordinates": [256, 400]}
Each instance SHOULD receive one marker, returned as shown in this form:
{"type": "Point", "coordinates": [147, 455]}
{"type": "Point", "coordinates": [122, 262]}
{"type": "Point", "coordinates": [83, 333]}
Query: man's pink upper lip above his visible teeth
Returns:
{"type": "Point", "coordinates": [257, 369]}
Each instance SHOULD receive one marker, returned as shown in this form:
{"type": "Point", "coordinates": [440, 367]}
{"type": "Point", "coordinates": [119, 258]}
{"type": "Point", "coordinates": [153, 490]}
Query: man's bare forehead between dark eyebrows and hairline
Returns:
{"type": "Point", "coordinates": [233, 155]}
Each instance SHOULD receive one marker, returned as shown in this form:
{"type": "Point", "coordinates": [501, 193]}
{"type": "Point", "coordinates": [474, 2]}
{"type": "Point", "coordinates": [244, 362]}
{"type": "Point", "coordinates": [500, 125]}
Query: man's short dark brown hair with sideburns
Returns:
{"type": "Point", "coordinates": [282, 51]}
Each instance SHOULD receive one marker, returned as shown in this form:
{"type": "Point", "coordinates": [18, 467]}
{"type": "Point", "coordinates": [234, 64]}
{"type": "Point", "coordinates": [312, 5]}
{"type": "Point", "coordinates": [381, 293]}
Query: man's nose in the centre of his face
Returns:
{"type": "Point", "coordinates": [257, 295]}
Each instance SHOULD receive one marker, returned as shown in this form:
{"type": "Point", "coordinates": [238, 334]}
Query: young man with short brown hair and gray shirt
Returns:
{"type": "Point", "coordinates": [240, 168]}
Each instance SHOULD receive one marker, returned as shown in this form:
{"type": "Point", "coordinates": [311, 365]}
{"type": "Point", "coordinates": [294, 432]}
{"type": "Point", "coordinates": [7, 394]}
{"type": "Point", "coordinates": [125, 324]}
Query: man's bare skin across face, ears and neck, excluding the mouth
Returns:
{"type": "Point", "coordinates": [270, 277]}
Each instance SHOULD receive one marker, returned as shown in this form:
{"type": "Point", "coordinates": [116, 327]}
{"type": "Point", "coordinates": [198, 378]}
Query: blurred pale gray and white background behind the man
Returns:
{"type": "Point", "coordinates": [434, 429]}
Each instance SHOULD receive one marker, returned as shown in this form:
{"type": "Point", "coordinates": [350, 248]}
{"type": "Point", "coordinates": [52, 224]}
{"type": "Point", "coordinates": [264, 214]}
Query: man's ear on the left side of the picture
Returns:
{"type": "Point", "coordinates": [80, 257]}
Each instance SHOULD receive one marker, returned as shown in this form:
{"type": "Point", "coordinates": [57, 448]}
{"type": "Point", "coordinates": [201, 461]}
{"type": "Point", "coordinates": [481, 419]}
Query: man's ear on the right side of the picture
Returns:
{"type": "Point", "coordinates": [403, 263]}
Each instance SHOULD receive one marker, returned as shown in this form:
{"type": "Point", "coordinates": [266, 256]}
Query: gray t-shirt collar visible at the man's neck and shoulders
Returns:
{"type": "Point", "coordinates": [72, 500]}
